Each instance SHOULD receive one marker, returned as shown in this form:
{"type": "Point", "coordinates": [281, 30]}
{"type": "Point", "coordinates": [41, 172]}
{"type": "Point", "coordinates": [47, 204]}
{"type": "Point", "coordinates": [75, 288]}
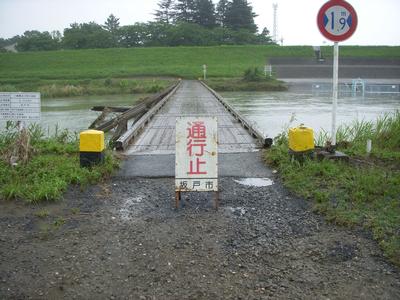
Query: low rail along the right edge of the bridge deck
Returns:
{"type": "Point", "coordinates": [251, 128]}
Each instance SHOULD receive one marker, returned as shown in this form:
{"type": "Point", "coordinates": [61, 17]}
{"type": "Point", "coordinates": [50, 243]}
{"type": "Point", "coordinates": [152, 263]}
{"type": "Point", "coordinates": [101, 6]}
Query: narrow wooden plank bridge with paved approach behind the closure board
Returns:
{"type": "Point", "coordinates": [152, 149]}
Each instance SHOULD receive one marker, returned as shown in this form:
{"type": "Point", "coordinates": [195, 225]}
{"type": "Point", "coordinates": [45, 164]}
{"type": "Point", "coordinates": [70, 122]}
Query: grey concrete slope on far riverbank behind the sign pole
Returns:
{"type": "Point", "coordinates": [365, 68]}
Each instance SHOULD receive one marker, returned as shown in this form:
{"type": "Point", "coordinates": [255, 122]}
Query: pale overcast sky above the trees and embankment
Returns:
{"type": "Point", "coordinates": [378, 20]}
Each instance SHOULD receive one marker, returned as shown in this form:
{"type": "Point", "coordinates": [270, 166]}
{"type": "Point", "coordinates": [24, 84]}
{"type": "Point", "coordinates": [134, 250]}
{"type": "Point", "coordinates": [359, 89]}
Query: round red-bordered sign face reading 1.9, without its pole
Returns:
{"type": "Point", "coordinates": [337, 20]}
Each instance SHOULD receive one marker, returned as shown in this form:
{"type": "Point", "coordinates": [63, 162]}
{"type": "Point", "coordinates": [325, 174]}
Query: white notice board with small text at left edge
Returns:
{"type": "Point", "coordinates": [20, 106]}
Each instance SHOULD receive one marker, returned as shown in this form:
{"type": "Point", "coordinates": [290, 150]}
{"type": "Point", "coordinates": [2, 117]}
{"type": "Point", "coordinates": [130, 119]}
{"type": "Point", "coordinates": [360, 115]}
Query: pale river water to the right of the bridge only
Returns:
{"type": "Point", "coordinates": [272, 112]}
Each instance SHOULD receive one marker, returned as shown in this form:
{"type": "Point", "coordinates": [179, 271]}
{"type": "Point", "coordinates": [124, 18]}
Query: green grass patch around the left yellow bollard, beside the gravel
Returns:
{"type": "Point", "coordinates": [54, 166]}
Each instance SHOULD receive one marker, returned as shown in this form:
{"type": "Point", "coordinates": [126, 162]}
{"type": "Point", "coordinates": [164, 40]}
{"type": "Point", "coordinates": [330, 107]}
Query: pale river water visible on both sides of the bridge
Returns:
{"type": "Point", "coordinates": [271, 111]}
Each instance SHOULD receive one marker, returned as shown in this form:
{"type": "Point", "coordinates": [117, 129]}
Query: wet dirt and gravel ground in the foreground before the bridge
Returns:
{"type": "Point", "coordinates": [124, 240]}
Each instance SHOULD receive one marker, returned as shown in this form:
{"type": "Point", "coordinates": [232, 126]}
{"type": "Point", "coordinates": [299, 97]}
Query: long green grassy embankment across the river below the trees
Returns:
{"type": "Point", "coordinates": [112, 71]}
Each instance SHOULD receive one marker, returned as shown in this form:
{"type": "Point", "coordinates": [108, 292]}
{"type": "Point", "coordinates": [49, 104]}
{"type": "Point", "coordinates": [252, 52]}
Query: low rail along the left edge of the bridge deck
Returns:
{"type": "Point", "coordinates": [125, 139]}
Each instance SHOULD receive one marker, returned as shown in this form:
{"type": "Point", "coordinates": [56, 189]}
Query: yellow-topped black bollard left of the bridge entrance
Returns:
{"type": "Point", "coordinates": [91, 147]}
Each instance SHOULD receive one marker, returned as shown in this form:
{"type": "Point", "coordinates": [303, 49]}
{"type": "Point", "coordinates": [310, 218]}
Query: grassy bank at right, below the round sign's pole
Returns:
{"type": "Point", "coordinates": [365, 191]}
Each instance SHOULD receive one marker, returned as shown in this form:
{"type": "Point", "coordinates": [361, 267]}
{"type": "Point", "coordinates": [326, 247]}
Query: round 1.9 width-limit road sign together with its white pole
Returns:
{"type": "Point", "coordinates": [337, 21]}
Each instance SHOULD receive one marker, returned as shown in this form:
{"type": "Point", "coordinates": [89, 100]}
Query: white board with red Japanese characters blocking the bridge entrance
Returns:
{"type": "Point", "coordinates": [196, 163]}
